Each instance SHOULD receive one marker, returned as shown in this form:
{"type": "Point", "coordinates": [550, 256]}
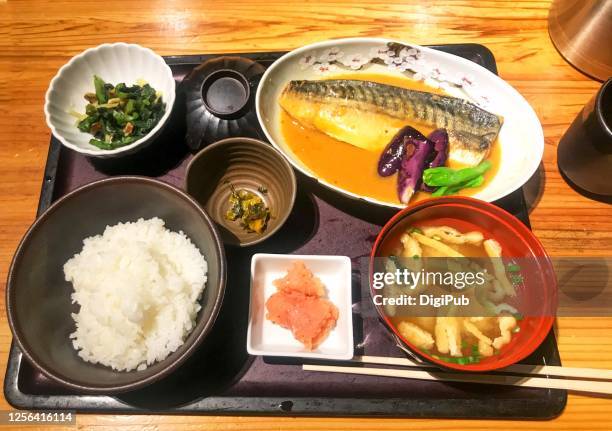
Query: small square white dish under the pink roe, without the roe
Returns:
{"type": "Point", "coordinates": [265, 338]}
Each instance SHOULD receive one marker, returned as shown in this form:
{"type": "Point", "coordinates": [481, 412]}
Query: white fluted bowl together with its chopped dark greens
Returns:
{"type": "Point", "coordinates": [109, 100]}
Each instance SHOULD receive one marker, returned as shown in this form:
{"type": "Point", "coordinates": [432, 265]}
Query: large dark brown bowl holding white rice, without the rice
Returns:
{"type": "Point", "coordinates": [38, 297]}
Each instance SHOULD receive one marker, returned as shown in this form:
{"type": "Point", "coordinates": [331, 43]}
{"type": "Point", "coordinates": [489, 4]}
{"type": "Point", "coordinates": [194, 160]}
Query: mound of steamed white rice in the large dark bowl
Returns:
{"type": "Point", "coordinates": [138, 286]}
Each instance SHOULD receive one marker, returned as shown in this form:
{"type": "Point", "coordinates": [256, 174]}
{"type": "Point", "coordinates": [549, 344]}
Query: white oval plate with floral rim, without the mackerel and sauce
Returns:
{"type": "Point", "coordinates": [521, 137]}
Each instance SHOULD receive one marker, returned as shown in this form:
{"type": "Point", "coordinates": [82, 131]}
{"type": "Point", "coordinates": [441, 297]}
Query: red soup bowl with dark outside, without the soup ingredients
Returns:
{"type": "Point", "coordinates": [536, 296]}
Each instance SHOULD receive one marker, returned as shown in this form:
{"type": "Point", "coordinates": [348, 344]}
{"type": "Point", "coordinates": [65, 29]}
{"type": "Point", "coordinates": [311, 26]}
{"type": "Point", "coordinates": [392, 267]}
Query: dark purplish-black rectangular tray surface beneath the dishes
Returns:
{"type": "Point", "coordinates": [221, 378]}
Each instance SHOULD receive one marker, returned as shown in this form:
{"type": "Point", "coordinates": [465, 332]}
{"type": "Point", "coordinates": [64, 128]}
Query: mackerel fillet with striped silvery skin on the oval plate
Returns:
{"type": "Point", "coordinates": [365, 114]}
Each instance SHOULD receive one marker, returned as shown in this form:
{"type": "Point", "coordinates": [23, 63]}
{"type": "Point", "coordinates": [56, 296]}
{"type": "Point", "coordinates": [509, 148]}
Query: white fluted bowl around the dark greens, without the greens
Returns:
{"type": "Point", "coordinates": [115, 63]}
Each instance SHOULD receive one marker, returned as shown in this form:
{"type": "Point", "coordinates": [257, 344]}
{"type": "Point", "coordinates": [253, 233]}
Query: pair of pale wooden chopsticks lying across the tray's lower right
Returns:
{"type": "Point", "coordinates": [497, 378]}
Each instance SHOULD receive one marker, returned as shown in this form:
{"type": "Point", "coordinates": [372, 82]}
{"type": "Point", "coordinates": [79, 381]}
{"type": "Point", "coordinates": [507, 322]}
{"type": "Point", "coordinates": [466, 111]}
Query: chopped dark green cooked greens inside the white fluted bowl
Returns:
{"type": "Point", "coordinates": [119, 115]}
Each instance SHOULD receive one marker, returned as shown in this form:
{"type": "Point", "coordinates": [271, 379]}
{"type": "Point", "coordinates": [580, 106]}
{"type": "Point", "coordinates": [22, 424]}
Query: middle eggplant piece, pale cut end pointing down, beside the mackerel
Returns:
{"type": "Point", "coordinates": [410, 175]}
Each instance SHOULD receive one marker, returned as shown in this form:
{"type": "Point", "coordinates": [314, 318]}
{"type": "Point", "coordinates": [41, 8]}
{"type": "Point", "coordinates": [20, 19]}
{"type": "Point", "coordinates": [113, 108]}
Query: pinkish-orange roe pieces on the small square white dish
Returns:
{"type": "Point", "coordinates": [299, 306]}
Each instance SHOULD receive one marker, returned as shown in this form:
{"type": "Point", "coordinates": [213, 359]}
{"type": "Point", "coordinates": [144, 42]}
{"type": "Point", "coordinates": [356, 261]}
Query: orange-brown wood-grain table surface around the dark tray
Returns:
{"type": "Point", "coordinates": [40, 36]}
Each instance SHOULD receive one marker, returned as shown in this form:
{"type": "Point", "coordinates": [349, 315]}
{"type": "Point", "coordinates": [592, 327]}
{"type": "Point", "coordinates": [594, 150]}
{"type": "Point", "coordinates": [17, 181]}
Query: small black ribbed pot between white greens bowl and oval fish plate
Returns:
{"type": "Point", "coordinates": [219, 99]}
